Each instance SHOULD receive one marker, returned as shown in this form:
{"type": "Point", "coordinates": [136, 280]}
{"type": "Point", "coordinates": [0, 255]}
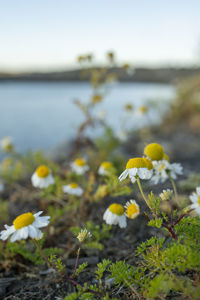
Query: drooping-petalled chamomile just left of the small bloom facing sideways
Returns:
{"type": "Point", "coordinates": [114, 215]}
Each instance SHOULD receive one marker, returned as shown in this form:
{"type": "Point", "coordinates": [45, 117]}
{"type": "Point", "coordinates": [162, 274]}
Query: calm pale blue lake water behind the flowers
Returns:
{"type": "Point", "coordinates": [43, 115]}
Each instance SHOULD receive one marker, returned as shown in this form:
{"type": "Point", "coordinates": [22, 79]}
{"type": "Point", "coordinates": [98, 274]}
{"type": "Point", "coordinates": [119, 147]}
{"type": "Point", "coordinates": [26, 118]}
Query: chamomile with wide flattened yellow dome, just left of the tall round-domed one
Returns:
{"type": "Point", "coordinates": [141, 167]}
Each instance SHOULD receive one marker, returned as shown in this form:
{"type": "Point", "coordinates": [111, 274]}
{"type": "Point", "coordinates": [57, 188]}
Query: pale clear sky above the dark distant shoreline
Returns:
{"type": "Point", "coordinates": [50, 34]}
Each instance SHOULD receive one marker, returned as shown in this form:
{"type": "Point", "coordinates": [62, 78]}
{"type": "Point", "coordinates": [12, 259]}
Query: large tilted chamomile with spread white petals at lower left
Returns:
{"type": "Point", "coordinates": [24, 226]}
